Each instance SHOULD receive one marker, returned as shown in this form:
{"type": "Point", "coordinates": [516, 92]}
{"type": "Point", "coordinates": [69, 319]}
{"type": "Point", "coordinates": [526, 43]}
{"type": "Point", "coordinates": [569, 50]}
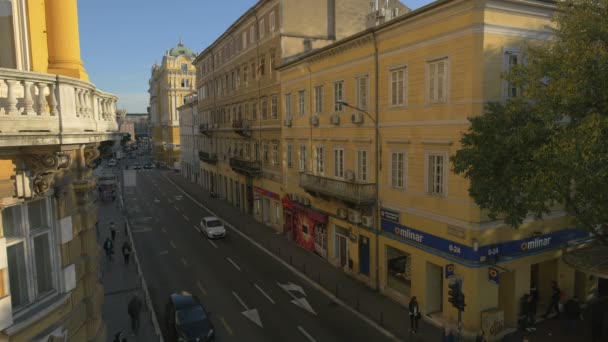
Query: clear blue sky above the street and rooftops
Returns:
{"type": "Point", "coordinates": [121, 39]}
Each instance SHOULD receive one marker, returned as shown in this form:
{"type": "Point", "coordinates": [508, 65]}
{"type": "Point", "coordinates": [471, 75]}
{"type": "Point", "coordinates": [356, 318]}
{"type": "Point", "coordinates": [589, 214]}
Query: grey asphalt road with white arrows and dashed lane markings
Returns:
{"type": "Point", "coordinates": [251, 296]}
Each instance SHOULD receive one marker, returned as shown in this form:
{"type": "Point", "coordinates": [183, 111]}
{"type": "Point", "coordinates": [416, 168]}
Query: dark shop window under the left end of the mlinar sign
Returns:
{"type": "Point", "coordinates": [399, 266]}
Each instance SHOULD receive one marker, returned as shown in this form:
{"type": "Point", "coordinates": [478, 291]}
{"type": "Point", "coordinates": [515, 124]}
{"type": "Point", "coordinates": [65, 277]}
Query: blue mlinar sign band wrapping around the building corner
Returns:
{"type": "Point", "coordinates": [504, 249]}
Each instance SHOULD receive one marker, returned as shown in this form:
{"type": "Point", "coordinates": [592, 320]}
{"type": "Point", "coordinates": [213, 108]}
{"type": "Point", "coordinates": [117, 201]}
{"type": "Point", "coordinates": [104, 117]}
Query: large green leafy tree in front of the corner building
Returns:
{"type": "Point", "coordinates": [549, 146]}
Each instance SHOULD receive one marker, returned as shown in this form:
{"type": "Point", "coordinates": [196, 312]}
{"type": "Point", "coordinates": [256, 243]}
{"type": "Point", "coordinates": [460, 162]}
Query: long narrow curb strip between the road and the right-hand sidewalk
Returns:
{"type": "Point", "coordinates": [294, 270]}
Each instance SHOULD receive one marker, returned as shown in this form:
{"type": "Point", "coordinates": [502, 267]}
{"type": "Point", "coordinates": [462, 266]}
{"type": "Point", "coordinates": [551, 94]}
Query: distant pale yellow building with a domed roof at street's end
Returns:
{"type": "Point", "coordinates": [170, 83]}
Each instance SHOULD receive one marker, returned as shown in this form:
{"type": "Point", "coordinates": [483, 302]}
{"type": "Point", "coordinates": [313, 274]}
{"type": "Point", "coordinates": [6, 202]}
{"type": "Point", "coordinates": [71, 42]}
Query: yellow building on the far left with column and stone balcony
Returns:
{"type": "Point", "coordinates": [52, 119]}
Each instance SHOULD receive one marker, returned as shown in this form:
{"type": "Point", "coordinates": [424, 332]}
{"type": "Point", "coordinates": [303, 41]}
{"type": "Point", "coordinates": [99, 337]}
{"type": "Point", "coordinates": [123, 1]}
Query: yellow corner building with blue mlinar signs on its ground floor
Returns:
{"type": "Point", "coordinates": [371, 122]}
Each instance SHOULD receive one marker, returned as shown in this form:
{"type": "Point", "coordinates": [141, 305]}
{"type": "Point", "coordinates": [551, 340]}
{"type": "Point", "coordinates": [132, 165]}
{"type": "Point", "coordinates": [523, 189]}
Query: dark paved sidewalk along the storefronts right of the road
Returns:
{"type": "Point", "coordinates": [385, 312]}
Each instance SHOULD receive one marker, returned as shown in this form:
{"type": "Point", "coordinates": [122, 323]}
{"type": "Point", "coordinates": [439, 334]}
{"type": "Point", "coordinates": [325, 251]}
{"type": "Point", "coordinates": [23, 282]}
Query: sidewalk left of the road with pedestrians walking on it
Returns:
{"type": "Point", "coordinates": [121, 282]}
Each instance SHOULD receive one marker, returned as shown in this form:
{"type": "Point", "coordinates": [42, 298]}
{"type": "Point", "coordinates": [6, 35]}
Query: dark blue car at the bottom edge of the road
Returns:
{"type": "Point", "coordinates": [188, 316]}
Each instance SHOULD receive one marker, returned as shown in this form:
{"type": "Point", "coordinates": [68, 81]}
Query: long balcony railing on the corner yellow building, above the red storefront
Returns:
{"type": "Point", "coordinates": [350, 192]}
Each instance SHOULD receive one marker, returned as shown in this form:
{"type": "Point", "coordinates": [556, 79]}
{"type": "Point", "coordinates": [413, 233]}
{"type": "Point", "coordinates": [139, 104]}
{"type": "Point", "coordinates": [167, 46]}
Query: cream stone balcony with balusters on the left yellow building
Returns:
{"type": "Point", "coordinates": [46, 109]}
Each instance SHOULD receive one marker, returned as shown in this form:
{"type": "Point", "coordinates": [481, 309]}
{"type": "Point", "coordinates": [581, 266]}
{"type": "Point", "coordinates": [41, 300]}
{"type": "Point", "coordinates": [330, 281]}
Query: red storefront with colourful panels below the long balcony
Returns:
{"type": "Point", "coordinates": [306, 226]}
